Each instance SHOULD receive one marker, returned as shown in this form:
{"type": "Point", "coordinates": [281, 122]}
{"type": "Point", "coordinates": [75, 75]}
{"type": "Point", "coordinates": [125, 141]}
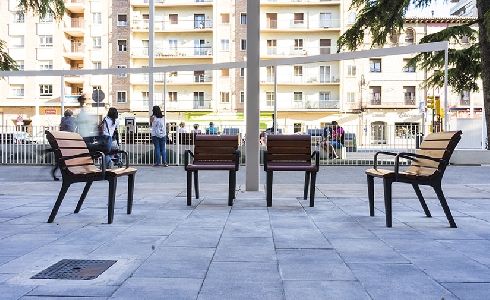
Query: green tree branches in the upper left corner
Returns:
{"type": "Point", "coordinates": [36, 7]}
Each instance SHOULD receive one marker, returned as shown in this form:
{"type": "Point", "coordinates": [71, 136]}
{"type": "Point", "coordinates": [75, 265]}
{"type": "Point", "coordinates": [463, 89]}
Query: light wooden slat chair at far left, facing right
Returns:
{"type": "Point", "coordinates": [77, 165]}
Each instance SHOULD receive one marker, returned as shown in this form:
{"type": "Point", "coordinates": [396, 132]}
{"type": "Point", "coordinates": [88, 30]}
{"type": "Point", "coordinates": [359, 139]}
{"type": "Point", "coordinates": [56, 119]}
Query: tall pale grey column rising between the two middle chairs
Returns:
{"type": "Point", "coordinates": [252, 103]}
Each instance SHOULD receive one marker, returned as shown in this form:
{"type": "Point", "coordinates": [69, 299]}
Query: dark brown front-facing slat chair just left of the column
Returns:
{"type": "Point", "coordinates": [212, 152]}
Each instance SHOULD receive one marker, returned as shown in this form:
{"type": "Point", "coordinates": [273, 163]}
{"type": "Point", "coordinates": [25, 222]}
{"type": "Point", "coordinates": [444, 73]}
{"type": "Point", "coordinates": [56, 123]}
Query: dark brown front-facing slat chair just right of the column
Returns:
{"type": "Point", "coordinates": [291, 152]}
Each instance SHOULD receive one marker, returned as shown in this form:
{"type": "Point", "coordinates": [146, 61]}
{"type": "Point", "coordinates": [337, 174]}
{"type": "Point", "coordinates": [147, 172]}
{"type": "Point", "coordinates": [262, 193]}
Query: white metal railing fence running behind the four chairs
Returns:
{"type": "Point", "coordinates": [28, 145]}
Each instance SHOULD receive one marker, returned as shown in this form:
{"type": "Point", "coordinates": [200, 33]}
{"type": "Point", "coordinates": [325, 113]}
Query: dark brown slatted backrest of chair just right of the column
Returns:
{"type": "Point", "coordinates": [289, 148]}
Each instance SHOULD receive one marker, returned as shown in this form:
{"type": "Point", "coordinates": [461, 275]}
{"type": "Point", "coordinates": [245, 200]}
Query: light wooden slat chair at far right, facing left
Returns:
{"type": "Point", "coordinates": [427, 168]}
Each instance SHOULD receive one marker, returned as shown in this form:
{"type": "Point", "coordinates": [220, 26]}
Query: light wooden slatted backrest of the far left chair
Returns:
{"type": "Point", "coordinates": [65, 144]}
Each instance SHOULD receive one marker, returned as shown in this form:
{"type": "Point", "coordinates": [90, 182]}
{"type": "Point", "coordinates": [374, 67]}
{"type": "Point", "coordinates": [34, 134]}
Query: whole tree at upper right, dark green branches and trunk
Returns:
{"type": "Point", "coordinates": [466, 66]}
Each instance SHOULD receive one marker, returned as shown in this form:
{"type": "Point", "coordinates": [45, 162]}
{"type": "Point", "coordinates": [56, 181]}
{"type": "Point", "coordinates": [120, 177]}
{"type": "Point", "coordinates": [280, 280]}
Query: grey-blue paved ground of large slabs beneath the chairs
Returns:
{"type": "Point", "coordinates": [167, 250]}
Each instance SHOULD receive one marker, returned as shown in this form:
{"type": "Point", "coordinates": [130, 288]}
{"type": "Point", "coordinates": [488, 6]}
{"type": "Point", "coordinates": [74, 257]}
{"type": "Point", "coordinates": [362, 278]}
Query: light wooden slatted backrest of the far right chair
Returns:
{"type": "Point", "coordinates": [436, 145]}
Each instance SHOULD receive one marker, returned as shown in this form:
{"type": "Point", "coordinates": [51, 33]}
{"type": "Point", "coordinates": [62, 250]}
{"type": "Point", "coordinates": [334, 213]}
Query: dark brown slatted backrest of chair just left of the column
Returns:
{"type": "Point", "coordinates": [215, 148]}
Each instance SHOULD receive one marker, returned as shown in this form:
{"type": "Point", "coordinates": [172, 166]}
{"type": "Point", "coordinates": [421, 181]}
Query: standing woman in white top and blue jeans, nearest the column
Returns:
{"type": "Point", "coordinates": [158, 136]}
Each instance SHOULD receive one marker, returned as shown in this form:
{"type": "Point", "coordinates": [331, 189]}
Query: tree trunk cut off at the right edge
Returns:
{"type": "Point", "coordinates": [483, 7]}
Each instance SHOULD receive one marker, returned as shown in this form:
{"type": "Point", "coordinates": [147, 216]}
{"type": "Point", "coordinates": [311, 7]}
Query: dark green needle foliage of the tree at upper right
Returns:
{"type": "Point", "coordinates": [382, 17]}
